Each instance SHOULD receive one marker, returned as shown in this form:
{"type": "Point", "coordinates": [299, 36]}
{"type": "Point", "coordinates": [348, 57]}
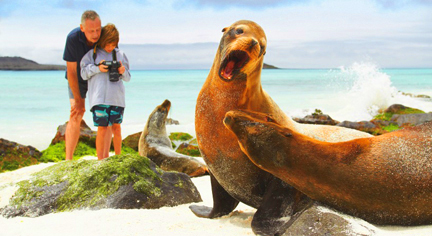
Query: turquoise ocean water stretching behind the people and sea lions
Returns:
{"type": "Point", "coordinates": [34, 103]}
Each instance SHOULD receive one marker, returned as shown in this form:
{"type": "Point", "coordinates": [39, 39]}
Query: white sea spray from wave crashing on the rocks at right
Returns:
{"type": "Point", "coordinates": [362, 90]}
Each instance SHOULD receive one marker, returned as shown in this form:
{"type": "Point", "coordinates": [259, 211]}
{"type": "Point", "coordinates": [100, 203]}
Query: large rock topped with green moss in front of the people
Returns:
{"type": "Point", "coordinates": [125, 181]}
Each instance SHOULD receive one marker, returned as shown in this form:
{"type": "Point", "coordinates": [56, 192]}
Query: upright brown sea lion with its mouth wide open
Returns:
{"type": "Point", "coordinates": [234, 82]}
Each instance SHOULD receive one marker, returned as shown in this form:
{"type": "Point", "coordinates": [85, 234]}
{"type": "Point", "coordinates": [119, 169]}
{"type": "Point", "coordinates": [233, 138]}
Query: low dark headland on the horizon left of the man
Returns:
{"type": "Point", "coordinates": [22, 64]}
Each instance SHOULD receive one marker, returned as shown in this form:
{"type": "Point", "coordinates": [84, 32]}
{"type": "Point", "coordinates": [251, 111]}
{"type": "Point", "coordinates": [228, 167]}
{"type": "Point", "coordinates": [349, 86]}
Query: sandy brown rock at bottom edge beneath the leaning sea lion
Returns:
{"type": "Point", "coordinates": [318, 220]}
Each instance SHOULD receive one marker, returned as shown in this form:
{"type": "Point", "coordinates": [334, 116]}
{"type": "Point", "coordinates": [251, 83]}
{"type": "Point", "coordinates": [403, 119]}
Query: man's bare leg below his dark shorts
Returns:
{"type": "Point", "coordinates": [72, 131]}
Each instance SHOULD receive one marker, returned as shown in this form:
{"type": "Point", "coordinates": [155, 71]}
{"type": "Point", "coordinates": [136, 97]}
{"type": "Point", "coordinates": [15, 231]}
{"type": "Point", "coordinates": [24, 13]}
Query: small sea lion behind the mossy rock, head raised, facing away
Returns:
{"type": "Point", "coordinates": [155, 144]}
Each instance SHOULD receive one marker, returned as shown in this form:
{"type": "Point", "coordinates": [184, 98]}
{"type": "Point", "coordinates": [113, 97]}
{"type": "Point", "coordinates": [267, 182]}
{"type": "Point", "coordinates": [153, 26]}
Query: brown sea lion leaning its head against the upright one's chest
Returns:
{"type": "Point", "coordinates": [385, 179]}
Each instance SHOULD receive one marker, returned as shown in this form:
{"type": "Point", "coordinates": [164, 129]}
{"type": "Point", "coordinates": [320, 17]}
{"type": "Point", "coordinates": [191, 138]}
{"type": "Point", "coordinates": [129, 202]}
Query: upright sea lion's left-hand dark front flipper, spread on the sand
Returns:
{"type": "Point", "coordinates": [223, 203]}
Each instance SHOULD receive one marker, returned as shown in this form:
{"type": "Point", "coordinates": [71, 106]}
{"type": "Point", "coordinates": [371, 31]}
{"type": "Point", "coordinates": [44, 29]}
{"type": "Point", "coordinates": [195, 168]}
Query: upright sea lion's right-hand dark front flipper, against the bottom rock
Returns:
{"type": "Point", "coordinates": [278, 208]}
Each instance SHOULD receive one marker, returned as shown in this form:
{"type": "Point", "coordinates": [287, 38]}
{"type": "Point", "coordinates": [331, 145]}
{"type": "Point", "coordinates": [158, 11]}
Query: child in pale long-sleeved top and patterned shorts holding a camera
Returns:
{"type": "Point", "coordinates": [106, 91]}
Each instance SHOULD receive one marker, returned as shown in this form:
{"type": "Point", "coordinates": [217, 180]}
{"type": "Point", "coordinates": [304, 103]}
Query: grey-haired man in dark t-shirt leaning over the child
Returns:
{"type": "Point", "coordinates": [79, 41]}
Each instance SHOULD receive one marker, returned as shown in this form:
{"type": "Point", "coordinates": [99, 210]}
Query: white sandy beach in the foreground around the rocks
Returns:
{"type": "Point", "coordinates": [164, 221]}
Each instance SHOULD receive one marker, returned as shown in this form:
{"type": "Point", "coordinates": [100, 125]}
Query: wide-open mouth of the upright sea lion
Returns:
{"type": "Point", "coordinates": [232, 64]}
